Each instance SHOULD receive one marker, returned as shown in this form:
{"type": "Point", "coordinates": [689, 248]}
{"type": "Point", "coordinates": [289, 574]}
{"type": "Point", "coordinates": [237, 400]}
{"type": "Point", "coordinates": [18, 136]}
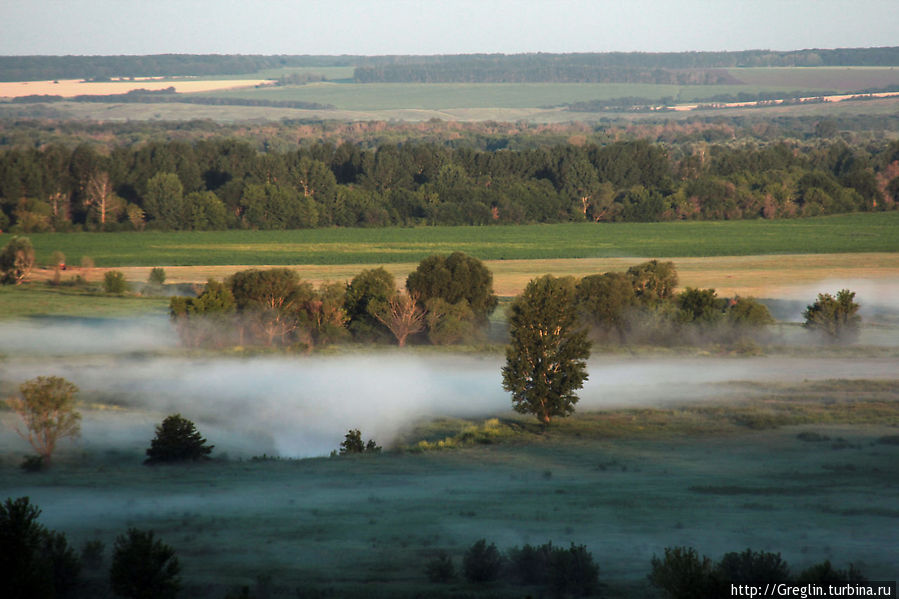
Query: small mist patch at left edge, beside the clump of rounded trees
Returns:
{"type": "Point", "coordinates": [64, 335]}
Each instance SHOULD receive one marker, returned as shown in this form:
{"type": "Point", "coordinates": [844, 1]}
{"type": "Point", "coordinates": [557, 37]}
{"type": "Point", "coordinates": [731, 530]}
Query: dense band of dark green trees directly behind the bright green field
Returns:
{"type": "Point", "coordinates": [218, 184]}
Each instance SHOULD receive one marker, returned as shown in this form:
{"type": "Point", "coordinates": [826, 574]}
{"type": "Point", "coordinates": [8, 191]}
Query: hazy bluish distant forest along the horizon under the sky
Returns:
{"type": "Point", "coordinates": [594, 67]}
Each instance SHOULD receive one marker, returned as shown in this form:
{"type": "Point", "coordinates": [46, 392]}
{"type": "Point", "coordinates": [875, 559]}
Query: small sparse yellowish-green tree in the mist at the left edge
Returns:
{"type": "Point", "coordinates": [47, 408]}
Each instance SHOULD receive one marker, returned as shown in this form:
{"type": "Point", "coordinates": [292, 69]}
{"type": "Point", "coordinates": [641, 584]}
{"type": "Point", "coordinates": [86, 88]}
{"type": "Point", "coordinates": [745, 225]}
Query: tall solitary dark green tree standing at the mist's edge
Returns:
{"type": "Point", "coordinates": [546, 360]}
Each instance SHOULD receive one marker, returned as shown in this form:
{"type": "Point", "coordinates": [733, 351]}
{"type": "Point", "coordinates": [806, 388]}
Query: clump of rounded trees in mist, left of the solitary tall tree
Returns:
{"type": "Point", "coordinates": [446, 300]}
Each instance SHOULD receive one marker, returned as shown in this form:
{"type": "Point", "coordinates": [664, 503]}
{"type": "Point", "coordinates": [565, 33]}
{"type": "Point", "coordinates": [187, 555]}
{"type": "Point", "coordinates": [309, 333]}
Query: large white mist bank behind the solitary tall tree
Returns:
{"type": "Point", "coordinates": [303, 406]}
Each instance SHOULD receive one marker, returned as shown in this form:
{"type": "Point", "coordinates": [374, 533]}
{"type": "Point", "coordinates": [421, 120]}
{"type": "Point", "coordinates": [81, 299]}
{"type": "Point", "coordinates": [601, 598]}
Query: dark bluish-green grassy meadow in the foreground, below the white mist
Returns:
{"type": "Point", "coordinates": [807, 470]}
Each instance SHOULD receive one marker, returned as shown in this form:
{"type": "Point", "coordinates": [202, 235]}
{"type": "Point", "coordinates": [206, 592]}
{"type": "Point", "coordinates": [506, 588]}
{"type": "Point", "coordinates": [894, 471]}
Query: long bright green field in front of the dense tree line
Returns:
{"type": "Point", "coordinates": [869, 232]}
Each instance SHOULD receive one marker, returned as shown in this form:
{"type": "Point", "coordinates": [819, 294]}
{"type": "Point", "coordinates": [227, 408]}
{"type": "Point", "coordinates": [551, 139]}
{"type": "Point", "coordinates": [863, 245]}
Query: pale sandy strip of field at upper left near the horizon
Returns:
{"type": "Point", "coordinates": [76, 87]}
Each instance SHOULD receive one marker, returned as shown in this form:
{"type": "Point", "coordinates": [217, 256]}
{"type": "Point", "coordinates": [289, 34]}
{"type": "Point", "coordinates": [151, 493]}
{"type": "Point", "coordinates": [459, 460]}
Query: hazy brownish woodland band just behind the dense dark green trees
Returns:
{"type": "Point", "coordinates": [39, 125]}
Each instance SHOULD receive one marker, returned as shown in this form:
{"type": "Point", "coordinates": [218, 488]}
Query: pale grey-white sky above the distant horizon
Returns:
{"type": "Point", "coordinates": [372, 27]}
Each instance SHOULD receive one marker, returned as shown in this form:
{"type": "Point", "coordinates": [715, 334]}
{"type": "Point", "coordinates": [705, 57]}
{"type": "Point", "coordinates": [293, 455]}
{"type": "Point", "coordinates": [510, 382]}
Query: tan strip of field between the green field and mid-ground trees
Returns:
{"type": "Point", "coordinates": [758, 276]}
